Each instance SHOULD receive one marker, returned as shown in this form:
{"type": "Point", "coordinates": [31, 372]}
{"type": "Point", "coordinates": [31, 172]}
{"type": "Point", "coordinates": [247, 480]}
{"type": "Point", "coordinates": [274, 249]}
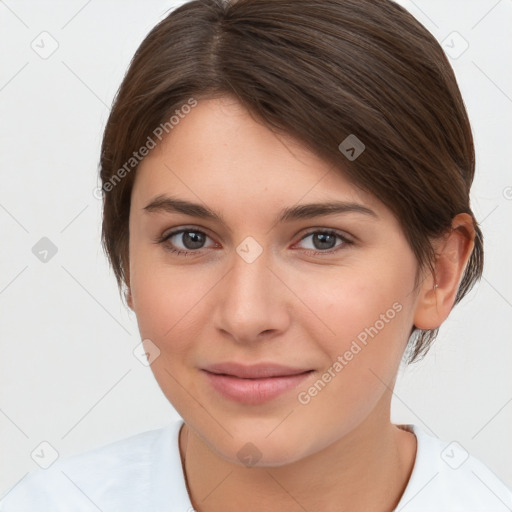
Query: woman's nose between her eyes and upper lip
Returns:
{"type": "Point", "coordinates": [252, 303]}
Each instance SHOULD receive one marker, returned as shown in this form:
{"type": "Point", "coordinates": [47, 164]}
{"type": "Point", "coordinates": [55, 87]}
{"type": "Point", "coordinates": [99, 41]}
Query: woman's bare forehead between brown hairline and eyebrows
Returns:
{"type": "Point", "coordinates": [218, 152]}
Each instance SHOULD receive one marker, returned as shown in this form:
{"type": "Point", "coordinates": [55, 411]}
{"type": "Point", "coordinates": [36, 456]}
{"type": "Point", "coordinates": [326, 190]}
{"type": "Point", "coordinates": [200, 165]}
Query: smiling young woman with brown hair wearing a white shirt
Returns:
{"type": "Point", "coordinates": [286, 205]}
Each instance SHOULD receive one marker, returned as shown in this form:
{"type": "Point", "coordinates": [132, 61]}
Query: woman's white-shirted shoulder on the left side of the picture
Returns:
{"type": "Point", "coordinates": [122, 475]}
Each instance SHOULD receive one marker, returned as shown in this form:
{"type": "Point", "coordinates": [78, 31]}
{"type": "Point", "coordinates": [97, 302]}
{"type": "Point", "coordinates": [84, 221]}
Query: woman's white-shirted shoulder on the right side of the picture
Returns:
{"type": "Point", "coordinates": [446, 477]}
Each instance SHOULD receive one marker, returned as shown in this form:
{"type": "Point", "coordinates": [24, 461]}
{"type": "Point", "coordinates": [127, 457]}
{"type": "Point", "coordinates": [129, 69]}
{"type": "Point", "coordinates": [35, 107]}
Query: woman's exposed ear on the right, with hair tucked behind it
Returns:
{"type": "Point", "coordinates": [438, 291]}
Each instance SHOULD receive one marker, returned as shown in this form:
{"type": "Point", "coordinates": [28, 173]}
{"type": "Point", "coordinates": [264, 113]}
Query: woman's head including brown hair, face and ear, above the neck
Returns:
{"type": "Point", "coordinates": [253, 109]}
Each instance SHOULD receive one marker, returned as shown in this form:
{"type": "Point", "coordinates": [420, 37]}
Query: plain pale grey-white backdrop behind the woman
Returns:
{"type": "Point", "coordinates": [69, 377]}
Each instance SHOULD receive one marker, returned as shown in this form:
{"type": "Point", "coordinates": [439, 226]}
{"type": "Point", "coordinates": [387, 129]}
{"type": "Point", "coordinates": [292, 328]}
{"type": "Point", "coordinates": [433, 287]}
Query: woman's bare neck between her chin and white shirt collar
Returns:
{"type": "Point", "coordinates": [368, 469]}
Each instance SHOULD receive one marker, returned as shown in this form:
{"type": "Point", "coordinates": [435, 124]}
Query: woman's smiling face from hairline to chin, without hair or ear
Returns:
{"type": "Point", "coordinates": [329, 294]}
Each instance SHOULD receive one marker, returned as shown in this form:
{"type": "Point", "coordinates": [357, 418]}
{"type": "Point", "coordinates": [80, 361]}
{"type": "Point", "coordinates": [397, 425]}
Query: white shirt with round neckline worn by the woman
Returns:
{"type": "Point", "coordinates": [143, 473]}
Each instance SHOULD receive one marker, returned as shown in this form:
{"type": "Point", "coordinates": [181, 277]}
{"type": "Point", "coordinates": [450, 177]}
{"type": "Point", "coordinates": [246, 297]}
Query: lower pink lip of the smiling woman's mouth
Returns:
{"type": "Point", "coordinates": [254, 391]}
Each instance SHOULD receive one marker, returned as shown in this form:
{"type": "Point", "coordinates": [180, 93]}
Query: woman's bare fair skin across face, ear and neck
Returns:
{"type": "Point", "coordinates": [339, 451]}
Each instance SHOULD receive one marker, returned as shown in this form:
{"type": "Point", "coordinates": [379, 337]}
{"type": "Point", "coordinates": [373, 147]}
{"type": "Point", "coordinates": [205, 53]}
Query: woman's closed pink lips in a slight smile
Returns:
{"type": "Point", "coordinates": [254, 384]}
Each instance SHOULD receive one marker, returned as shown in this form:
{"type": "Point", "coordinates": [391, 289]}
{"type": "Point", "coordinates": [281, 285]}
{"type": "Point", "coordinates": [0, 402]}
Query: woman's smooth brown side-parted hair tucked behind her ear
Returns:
{"type": "Point", "coordinates": [319, 71]}
